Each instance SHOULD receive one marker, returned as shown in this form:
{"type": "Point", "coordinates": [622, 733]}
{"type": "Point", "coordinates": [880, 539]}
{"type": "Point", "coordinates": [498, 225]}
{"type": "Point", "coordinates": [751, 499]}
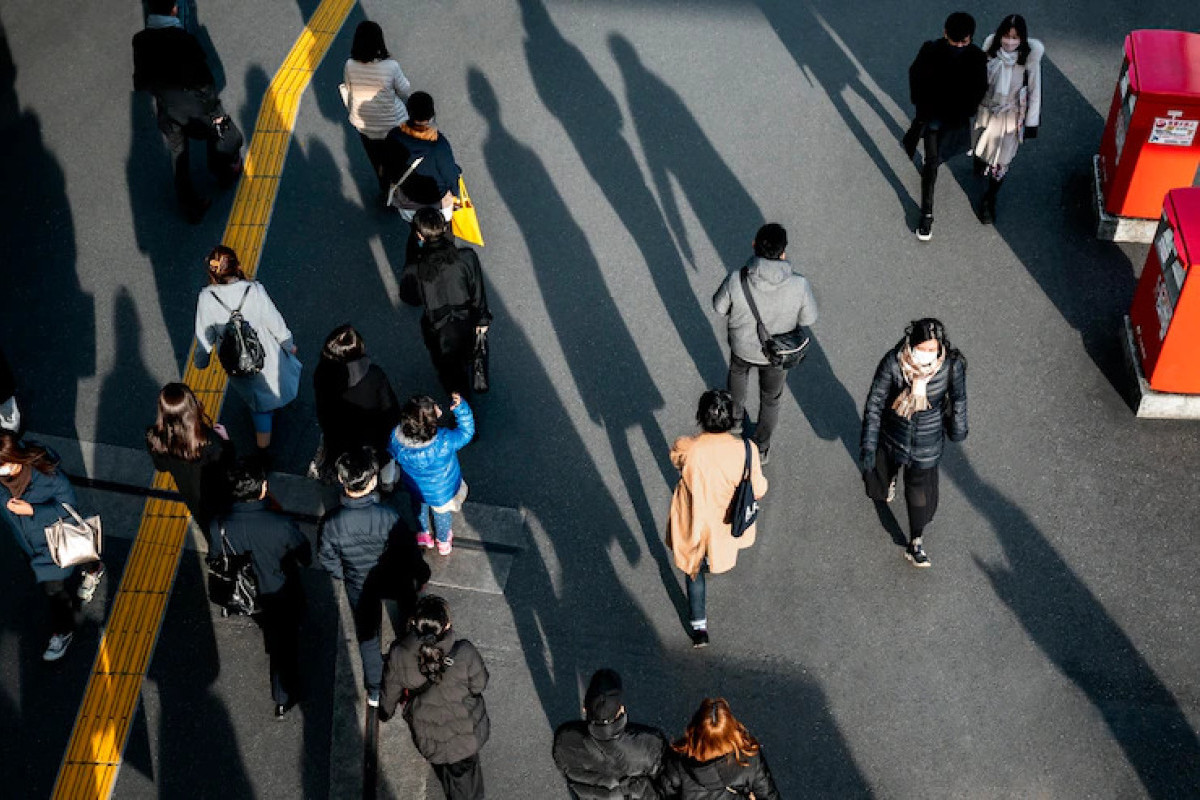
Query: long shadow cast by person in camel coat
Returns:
{"type": "Point", "coordinates": [616, 388]}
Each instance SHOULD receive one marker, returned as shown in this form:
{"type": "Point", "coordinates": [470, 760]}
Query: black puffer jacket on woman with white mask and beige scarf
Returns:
{"type": "Point", "coordinates": [920, 441]}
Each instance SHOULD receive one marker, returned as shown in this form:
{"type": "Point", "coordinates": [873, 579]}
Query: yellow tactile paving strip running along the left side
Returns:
{"type": "Point", "coordinates": [103, 726]}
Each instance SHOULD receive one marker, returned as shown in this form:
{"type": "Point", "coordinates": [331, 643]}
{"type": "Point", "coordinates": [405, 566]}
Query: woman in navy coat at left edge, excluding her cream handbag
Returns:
{"type": "Point", "coordinates": [34, 489]}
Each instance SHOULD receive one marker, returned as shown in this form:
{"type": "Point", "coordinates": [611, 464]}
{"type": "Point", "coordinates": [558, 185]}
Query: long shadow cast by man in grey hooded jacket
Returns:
{"type": "Point", "coordinates": [590, 115]}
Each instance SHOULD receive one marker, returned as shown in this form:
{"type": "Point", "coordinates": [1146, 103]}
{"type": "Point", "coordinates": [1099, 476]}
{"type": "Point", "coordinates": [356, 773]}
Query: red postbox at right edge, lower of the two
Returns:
{"type": "Point", "coordinates": [1166, 312]}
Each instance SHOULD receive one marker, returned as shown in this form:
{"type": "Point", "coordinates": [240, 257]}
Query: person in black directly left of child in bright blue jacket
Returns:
{"type": "Point", "coordinates": [356, 405]}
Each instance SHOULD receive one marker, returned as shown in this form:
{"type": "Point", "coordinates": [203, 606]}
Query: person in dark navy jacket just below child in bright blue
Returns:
{"type": "Point", "coordinates": [367, 546]}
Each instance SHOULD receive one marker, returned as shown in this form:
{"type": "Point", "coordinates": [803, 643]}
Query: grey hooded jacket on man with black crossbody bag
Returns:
{"type": "Point", "coordinates": [784, 298]}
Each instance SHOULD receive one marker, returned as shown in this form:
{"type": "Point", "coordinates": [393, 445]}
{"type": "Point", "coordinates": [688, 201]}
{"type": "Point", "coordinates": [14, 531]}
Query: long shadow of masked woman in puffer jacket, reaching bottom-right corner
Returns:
{"type": "Point", "coordinates": [1070, 625]}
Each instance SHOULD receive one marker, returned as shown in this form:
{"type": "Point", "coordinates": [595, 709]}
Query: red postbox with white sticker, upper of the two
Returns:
{"type": "Point", "coordinates": [1151, 143]}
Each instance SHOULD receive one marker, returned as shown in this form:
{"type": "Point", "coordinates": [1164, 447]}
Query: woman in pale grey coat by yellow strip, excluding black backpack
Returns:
{"type": "Point", "coordinates": [279, 381]}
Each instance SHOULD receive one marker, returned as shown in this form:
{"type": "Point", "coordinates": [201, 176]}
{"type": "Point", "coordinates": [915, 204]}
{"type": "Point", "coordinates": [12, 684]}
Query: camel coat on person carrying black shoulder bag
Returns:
{"type": "Point", "coordinates": [711, 468]}
